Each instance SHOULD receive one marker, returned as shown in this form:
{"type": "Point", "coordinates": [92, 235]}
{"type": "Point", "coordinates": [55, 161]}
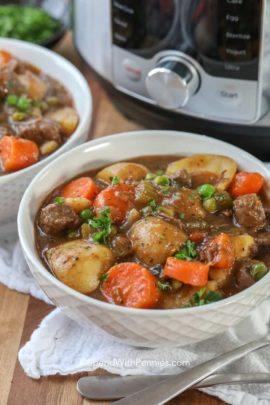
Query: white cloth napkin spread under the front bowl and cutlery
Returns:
{"type": "Point", "coordinates": [60, 346]}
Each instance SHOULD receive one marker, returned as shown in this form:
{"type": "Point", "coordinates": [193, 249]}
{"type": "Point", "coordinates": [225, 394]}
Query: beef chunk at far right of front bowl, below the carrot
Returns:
{"type": "Point", "coordinates": [249, 212]}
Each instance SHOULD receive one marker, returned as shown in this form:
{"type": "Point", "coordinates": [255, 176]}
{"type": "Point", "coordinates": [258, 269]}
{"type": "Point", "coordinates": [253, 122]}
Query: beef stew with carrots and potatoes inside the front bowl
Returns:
{"type": "Point", "coordinates": [158, 232]}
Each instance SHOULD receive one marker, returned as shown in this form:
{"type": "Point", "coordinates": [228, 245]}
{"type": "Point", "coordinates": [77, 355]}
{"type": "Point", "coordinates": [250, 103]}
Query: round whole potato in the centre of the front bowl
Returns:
{"type": "Point", "coordinates": [154, 239]}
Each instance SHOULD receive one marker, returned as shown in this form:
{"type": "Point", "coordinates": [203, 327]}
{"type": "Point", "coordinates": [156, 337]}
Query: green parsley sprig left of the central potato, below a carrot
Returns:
{"type": "Point", "coordinates": [103, 224]}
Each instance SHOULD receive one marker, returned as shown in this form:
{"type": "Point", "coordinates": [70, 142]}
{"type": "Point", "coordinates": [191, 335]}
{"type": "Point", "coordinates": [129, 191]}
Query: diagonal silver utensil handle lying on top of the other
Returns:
{"type": "Point", "coordinates": [162, 392]}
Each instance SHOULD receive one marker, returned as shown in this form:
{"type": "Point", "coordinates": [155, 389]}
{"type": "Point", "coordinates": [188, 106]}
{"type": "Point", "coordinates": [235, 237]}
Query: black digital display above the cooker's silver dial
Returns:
{"type": "Point", "coordinates": [222, 35]}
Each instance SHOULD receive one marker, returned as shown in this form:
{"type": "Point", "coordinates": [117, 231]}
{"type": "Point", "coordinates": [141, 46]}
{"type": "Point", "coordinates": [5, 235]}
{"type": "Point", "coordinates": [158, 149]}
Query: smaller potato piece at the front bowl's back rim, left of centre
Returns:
{"type": "Point", "coordinates": [124, 171]}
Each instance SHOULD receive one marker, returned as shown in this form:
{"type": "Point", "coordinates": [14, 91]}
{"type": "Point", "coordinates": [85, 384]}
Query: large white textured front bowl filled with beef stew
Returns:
{"type": "Point", "coordinates": [166, 243]}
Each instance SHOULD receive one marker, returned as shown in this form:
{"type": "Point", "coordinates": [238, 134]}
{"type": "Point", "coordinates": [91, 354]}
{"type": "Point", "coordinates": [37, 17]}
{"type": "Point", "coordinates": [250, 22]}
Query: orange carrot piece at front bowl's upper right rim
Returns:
{"type": "Point", "coordinates": [246, 183]}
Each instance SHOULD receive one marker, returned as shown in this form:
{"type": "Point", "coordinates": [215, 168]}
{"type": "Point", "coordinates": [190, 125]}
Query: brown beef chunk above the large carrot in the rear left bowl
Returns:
{"type": "Point", "coordinates": [38, 130]}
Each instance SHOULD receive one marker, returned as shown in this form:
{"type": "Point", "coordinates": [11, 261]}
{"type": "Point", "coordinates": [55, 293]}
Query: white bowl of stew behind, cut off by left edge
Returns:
{"type": "Point", "coordinates": [45, 109]}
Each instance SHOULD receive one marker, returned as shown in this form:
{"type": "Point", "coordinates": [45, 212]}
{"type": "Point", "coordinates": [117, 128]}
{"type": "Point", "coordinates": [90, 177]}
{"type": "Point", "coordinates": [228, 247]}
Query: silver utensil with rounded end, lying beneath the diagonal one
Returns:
{"type": "Point", "coordinates": [102, 388]}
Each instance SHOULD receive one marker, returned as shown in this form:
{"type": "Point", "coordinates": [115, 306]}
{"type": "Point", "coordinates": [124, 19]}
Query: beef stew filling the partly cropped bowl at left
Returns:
{"type": "Point", "coordinates": [37, 114]}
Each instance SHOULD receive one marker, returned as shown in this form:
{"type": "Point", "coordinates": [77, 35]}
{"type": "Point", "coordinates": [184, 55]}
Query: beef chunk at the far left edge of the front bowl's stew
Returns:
{"type": "Point", "coordinates": [55, 218]}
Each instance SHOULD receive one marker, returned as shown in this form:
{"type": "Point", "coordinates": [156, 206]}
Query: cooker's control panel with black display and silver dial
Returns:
{"type": "Point", "coordinates": [200, 57]}
